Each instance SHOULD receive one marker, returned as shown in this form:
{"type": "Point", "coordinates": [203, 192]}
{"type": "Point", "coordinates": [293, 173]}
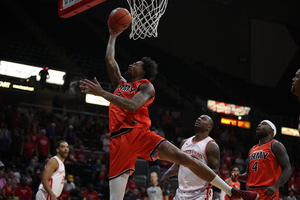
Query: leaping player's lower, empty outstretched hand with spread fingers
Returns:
{"type": "Point", "coordinates": [91, 87]}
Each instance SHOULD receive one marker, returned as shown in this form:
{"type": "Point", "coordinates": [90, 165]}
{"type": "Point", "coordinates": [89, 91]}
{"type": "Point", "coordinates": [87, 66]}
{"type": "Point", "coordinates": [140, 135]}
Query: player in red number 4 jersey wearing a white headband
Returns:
{"type": "Point", "coordinates": [269, 165]}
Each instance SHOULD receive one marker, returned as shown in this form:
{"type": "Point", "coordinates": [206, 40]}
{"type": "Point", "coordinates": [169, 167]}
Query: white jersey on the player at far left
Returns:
{"type": "Point", "coordinates": [57, 179]}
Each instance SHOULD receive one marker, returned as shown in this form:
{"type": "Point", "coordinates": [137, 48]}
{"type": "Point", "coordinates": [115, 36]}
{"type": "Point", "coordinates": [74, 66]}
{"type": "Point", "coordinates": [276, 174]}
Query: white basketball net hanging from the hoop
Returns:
{"type": "Point", "coordinates": [145, 17]}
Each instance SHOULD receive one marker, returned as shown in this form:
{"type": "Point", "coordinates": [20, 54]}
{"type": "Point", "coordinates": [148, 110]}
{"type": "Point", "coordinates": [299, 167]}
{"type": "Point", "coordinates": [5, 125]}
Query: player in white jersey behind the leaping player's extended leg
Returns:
{"type": "Point", "coordinates": [206, 150]}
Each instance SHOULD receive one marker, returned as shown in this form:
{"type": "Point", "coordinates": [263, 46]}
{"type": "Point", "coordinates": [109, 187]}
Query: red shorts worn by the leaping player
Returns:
{"type": "Point", "coordinates": [125, 148]}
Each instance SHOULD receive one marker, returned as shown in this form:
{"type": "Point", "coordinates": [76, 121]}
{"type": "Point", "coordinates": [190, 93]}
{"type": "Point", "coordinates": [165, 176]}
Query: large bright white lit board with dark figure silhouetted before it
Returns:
{"type": "Point", "coordinates": [25, 71]}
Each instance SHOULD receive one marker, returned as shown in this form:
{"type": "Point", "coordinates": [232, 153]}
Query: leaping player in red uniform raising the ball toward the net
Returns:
{"type": "Point", "coordinates": [129, 124]}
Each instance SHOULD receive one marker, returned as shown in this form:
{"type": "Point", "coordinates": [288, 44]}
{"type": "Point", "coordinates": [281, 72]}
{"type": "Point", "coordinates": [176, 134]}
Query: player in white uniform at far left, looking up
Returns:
{"type": "Point", "coordinates": [53, 177]}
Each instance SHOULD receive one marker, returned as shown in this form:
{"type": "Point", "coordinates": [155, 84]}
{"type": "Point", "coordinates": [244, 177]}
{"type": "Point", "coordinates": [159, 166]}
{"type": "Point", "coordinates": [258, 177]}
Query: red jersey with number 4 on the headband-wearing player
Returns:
{"type": "Point", "coordinates": [263, 169]}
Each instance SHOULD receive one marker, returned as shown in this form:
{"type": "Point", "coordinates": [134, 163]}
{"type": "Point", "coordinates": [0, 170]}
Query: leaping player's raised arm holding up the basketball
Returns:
{"type": "Point", "coordinates": [112, 65]}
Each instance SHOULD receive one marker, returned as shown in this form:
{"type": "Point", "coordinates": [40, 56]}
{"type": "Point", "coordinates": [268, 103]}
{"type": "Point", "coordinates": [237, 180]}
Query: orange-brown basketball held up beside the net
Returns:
{"type": "Point", "coordinates": [119, 19]}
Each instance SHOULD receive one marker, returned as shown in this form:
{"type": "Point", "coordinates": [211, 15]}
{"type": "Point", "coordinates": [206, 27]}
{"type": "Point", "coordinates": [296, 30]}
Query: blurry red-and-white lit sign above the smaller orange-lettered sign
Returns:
{"type": "Point", "coordinates": [226, 108]}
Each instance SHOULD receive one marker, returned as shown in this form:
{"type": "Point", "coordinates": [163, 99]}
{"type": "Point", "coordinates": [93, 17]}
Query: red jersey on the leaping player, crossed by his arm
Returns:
{"type": "Point", "coordinates": [121, 118]}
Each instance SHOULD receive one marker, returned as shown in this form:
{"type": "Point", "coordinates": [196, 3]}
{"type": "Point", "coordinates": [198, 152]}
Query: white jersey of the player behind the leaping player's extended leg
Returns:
{"type": "Point", "coordinates": [187, 180]}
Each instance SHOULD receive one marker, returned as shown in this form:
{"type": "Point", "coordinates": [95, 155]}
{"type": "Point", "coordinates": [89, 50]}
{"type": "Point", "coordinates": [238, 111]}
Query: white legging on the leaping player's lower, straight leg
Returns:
{"type": "Point", "coordinates": [117, 187]}
